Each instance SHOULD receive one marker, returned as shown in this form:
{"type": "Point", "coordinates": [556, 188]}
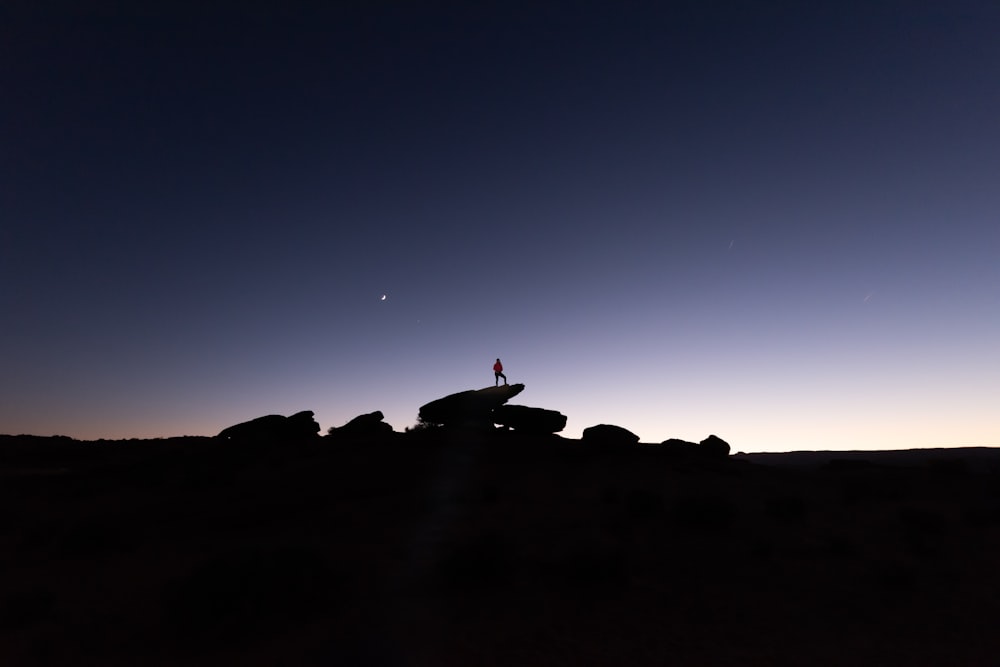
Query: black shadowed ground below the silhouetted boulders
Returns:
{"type": "Point", "coordinates": [452, 547]}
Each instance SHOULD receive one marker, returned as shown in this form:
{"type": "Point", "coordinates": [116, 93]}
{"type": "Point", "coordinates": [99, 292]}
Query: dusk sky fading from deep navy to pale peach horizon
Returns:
{"type": "Point", "coordinates": [778, 222]}
